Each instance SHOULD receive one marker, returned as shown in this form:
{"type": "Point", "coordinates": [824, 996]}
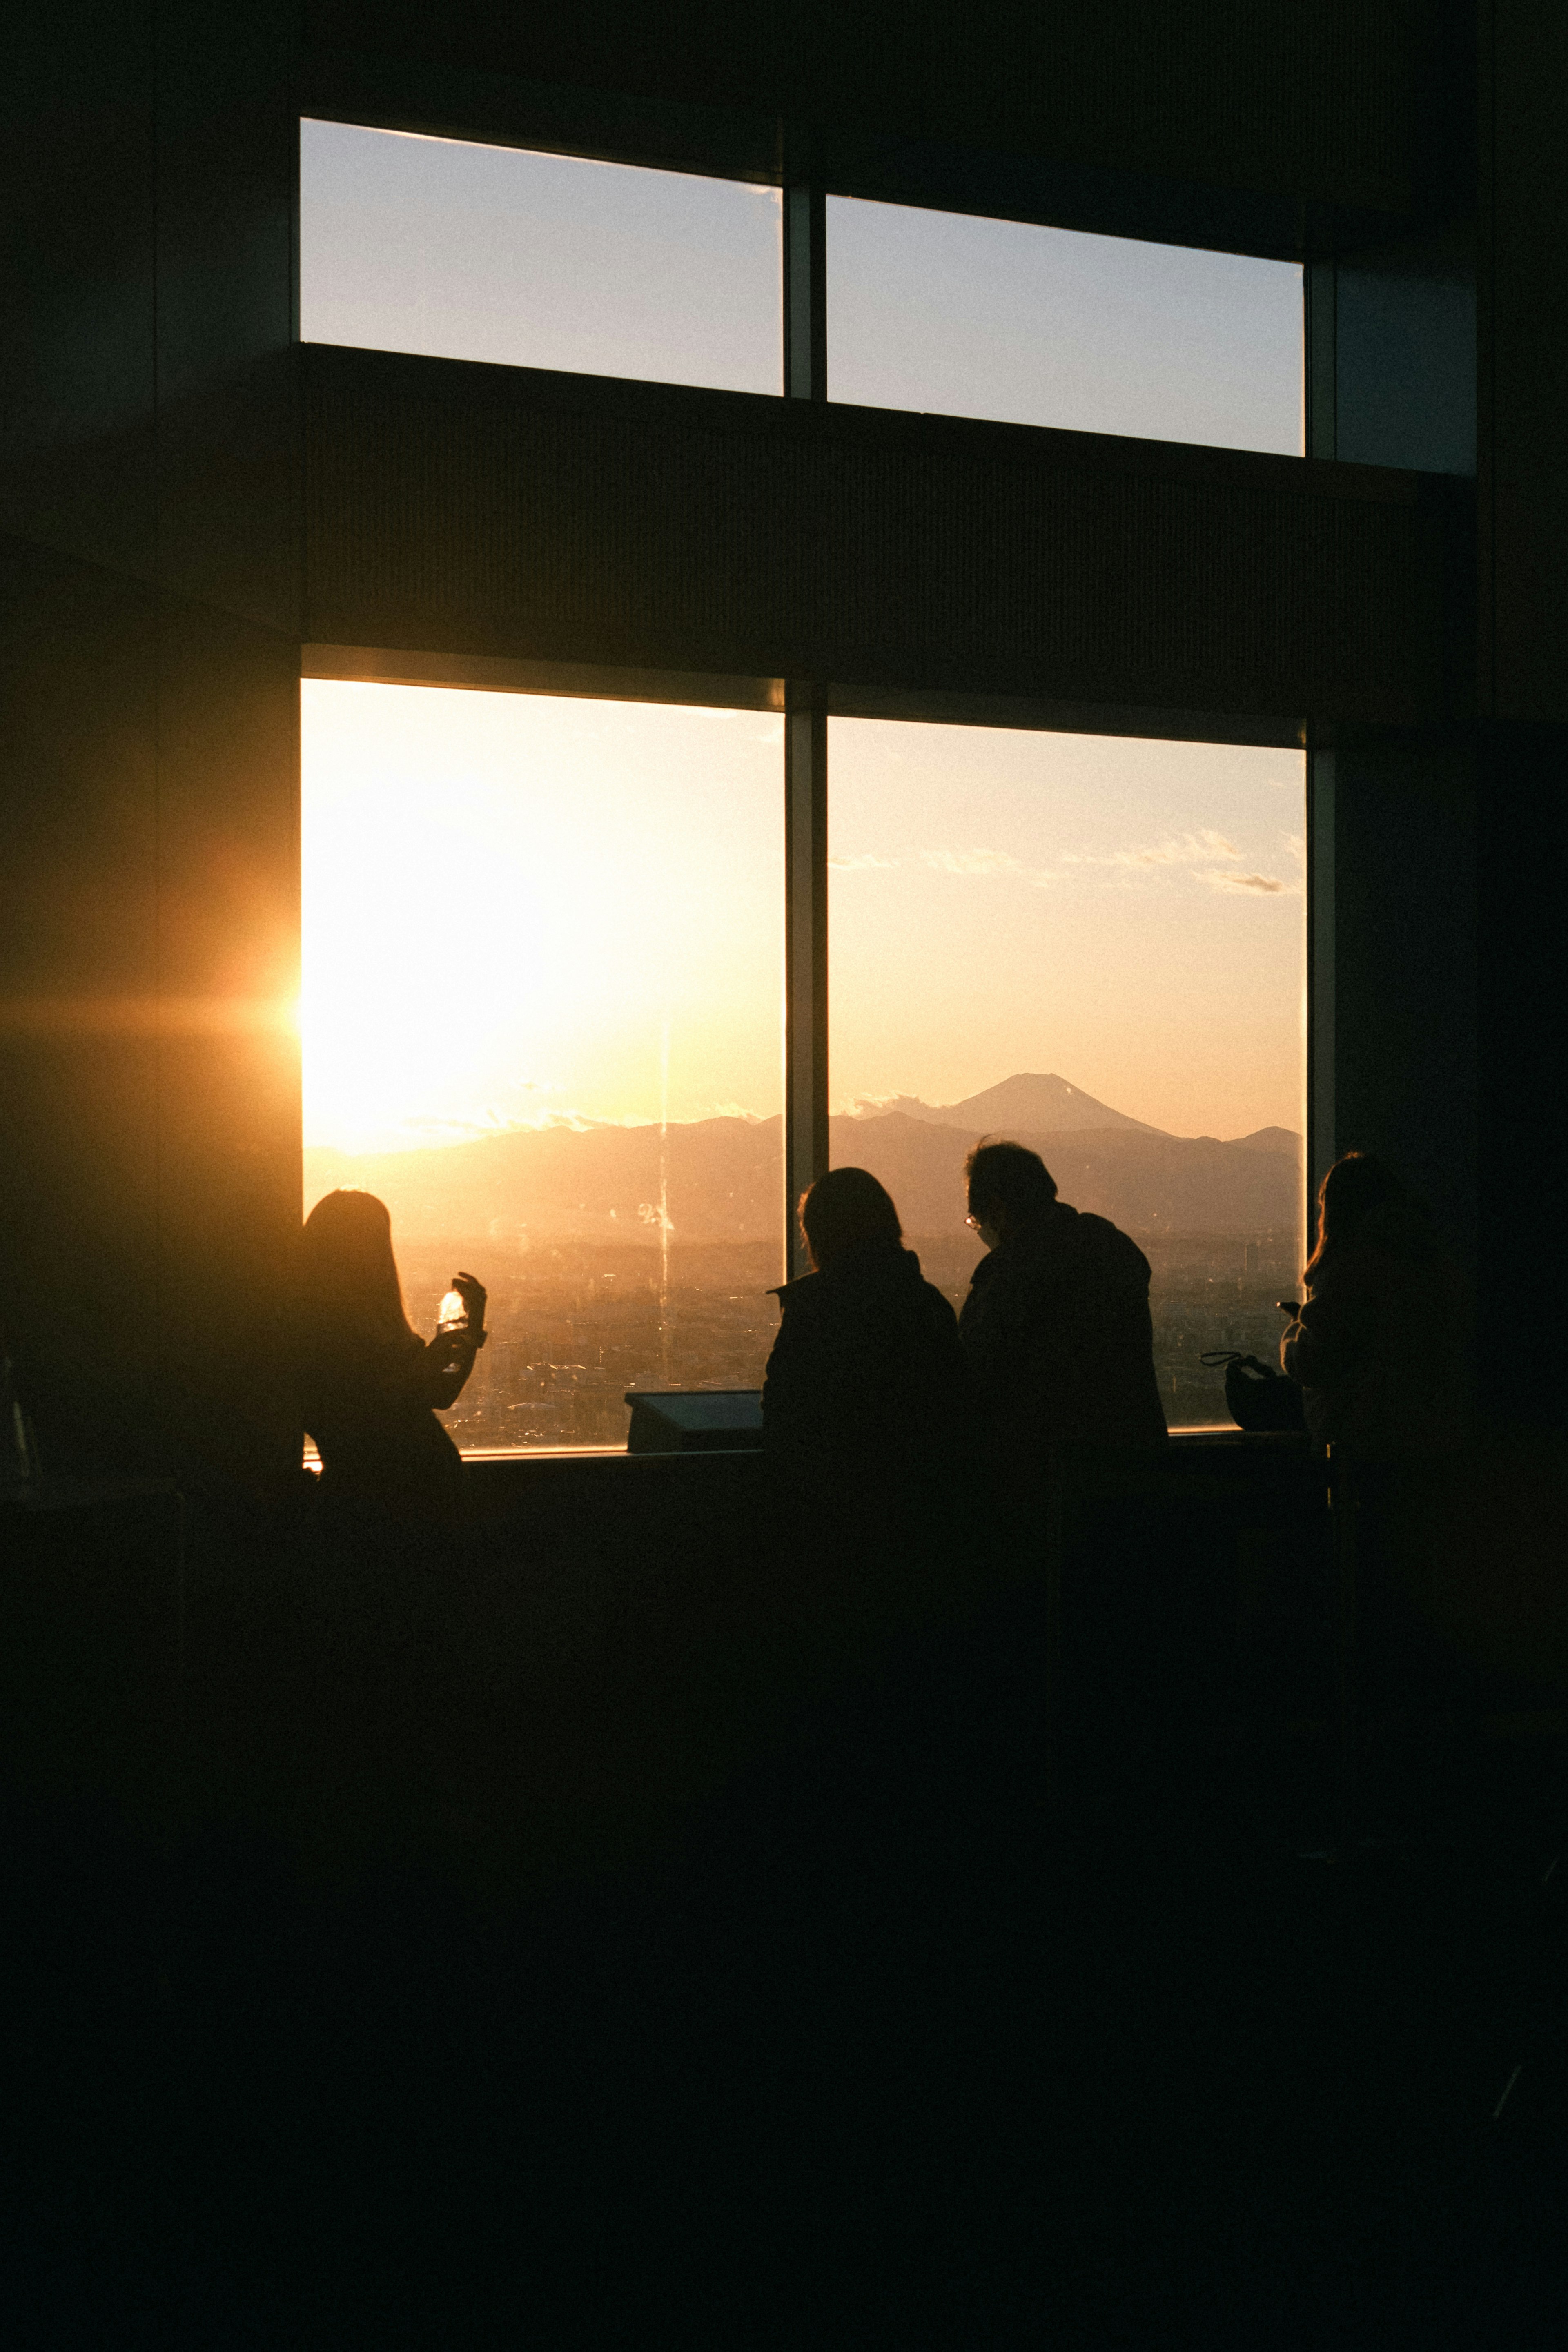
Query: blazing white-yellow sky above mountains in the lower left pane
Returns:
{"type": "Point", "coordinates": [509, 902]}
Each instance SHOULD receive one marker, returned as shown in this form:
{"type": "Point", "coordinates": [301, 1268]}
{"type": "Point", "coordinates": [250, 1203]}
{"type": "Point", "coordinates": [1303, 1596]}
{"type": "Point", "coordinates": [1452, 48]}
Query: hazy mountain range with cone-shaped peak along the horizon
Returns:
{"type": "Point", "coordinates": [721, 1180]}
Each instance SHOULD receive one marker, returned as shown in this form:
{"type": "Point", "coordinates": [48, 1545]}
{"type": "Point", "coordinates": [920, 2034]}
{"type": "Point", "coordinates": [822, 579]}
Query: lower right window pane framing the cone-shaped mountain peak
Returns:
{"type": "Point", "coordinates": [1092, 947]}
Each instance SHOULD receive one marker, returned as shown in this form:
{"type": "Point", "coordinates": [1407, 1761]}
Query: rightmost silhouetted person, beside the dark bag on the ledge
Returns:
{"type": "Point", "coordinates": [1381, 1344]}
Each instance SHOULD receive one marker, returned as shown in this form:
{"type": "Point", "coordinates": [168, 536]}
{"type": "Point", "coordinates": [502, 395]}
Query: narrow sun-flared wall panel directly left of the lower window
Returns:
{"type": "Point", "coordinates": [229, 1107]}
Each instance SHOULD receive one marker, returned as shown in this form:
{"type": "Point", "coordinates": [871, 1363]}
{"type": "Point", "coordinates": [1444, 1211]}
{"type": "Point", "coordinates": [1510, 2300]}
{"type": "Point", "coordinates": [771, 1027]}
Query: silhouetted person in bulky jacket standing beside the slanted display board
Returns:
{"type": "Point", "coordinates": [866, 1379]}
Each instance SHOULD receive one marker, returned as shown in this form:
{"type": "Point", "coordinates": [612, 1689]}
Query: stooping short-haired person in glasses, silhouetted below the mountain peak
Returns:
{"type": "Point", "coordinates": [1057, 1325]}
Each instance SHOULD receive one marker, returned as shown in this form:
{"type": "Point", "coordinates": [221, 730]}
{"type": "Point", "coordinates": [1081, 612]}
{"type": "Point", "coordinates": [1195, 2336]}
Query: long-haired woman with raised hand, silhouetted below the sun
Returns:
{"type": "Point", "coordinates": [373, 1387]}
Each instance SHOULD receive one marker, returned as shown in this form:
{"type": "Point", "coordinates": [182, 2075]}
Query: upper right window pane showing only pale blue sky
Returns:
{"type": "Point", "coordinates": [1054, 328]}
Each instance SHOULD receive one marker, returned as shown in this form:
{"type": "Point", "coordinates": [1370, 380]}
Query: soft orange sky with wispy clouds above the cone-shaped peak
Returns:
{"type": "Point", "coordinates": [1127, 916]}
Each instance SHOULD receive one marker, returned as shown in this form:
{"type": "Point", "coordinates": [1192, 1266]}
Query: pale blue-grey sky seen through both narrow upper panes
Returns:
{"type": "Point", "coordinates": [483, 253]}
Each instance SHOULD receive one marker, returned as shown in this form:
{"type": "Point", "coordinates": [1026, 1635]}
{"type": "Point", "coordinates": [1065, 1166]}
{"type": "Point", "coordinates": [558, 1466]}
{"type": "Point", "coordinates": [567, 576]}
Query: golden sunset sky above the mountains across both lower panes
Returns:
{"type": "Point", "coordinates": [530, 907]}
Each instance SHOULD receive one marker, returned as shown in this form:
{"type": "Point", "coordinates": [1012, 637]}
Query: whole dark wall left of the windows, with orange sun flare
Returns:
{"type": "Point", "coordinates": [149, 944]}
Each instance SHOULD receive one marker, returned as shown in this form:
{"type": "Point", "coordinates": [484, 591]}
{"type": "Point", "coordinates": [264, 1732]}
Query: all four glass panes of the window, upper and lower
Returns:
{"type": "Point", "coordinates": [544, 937]}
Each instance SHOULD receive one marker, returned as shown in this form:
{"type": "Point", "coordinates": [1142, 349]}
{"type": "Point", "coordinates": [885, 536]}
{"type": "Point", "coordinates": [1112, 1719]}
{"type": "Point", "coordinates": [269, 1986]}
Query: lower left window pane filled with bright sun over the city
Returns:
{"type": "Point", "coordinates": [542, 1020]}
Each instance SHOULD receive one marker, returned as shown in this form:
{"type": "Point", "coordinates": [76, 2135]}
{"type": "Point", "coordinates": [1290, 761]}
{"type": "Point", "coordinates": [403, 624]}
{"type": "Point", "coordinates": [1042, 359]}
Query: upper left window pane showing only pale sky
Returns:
{"type": "Point", "coordinates": [476, 253]}
